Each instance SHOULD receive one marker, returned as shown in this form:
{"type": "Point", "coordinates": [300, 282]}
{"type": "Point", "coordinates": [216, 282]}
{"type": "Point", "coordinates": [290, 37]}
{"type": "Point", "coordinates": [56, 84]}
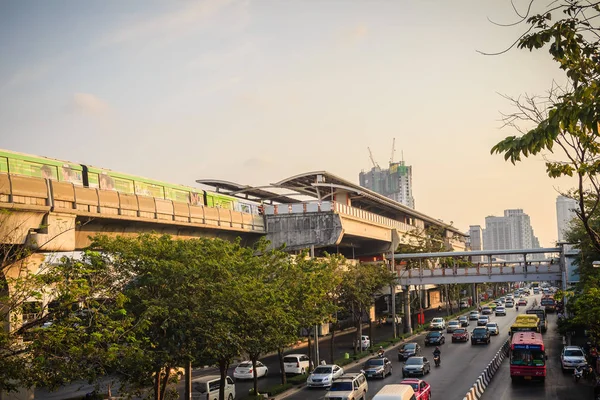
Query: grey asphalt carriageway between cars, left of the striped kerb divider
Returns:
{"type": "Point", "coordinates": [462, 364]}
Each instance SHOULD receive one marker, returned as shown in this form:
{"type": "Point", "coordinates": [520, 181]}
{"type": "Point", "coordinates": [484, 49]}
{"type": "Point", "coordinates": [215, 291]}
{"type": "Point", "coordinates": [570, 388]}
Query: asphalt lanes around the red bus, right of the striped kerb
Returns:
{"type": "Point", "coordinates": [558, 386]}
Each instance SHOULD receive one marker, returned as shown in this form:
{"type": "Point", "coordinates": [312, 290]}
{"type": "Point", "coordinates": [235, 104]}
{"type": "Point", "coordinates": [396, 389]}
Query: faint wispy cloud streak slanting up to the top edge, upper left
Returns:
{"type": "Point", "coordinates": [172, 23]}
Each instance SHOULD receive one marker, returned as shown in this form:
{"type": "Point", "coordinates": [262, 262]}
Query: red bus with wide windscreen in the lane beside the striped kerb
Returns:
{"type": "Point", "coordinates": [527, 356]}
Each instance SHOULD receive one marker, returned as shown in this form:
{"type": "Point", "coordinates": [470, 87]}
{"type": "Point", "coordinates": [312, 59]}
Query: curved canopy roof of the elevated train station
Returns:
{"type": "Point", "coordinates": [322, 186]}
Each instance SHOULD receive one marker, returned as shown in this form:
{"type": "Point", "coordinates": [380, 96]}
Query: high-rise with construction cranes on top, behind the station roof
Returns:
{"type": "Point", "coordinates": [394, 182]}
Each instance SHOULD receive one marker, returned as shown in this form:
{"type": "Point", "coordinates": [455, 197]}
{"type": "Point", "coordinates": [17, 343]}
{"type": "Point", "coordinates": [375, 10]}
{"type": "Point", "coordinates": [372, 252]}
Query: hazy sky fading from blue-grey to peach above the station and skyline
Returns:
{"type": "Point", "coordinates": [254, 91]}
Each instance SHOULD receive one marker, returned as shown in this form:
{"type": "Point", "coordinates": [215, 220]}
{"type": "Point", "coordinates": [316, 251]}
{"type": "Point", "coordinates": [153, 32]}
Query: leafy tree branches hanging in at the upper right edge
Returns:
{"type": "Point", "coordinates": [568, 119]}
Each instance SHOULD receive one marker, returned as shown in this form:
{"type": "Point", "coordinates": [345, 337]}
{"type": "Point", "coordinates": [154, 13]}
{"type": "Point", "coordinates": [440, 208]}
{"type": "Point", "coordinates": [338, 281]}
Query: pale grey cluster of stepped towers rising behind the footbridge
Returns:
{"type": "Point", "coordinates": [513, 231]}
